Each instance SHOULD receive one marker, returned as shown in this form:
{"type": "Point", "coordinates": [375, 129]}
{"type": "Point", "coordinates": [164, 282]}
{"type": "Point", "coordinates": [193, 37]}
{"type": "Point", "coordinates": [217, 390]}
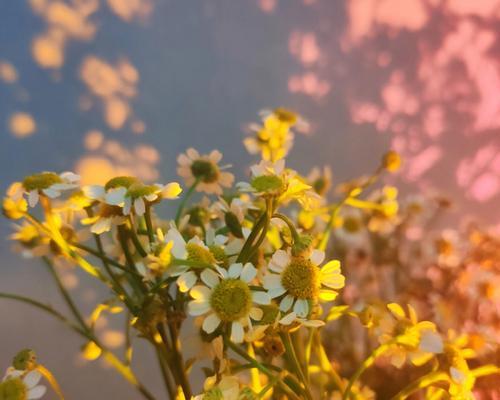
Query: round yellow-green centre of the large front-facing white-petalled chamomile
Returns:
{"type": "Point", "coordinates": [231, 300]}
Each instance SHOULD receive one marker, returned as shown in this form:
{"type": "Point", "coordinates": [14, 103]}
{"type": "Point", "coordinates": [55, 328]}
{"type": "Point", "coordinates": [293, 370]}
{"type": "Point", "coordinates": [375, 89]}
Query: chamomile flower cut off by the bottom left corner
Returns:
{"type": "Point", "coordinates": [21, 385]}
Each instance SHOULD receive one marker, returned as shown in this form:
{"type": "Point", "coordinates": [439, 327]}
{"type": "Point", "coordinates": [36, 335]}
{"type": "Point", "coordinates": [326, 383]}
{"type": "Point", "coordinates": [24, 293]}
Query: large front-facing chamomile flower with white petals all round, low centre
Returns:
{"type": "Point", "coordinates": [226, 298]}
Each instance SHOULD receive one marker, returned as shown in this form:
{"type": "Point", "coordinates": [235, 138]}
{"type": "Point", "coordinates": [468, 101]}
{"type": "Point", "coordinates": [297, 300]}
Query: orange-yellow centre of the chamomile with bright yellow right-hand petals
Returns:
{"type": "Point", "coordinates": [301, 278]}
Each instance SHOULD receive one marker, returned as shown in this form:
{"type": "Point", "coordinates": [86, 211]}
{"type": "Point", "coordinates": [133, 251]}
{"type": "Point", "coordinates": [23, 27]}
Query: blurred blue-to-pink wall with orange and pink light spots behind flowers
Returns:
{"type": "Point", "coordinates": [106, 87]}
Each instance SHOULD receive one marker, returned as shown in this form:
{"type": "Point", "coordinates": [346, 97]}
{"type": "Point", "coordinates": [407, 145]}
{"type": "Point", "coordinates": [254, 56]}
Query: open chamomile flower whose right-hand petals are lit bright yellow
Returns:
{"type": "Point", "coordinates": [301, 281]}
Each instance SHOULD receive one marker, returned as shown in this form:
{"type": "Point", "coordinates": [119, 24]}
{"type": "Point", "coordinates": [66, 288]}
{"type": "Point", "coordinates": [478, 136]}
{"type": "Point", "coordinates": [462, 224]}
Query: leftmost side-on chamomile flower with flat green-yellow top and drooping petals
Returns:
{"type": "Point", "coordinates": [47, 184]}
